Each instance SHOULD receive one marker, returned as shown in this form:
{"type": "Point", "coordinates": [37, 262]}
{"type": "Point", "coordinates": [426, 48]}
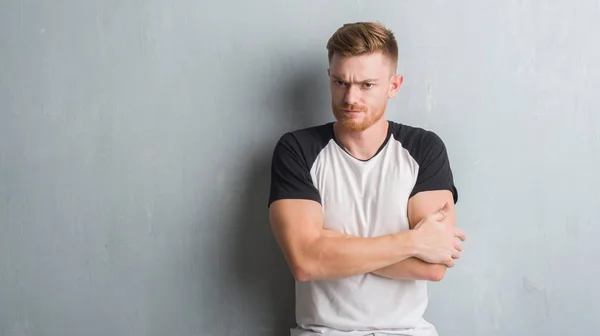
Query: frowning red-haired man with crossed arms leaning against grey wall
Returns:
{"type": "Point", "coordinates": [363, 207]}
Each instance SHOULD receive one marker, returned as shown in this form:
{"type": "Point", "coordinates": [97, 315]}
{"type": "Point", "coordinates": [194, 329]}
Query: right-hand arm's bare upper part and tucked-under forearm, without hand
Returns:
{"type": "Point", "coordinates": [419, 206]}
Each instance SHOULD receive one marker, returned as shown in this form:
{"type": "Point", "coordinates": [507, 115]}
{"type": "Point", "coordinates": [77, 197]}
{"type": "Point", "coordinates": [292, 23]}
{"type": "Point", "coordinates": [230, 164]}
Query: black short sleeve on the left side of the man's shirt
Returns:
{"type": "Point", "coordinates": [290, 172]}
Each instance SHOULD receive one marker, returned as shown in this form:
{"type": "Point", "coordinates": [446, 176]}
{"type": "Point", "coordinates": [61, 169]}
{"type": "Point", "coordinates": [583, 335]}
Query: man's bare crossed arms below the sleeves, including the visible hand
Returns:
{"type": "Point", "coordinates": [316, 253]}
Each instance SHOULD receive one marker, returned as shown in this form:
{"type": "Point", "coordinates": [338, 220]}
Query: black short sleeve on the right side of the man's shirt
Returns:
{"type": "Point", "coordinates": [434, 166]}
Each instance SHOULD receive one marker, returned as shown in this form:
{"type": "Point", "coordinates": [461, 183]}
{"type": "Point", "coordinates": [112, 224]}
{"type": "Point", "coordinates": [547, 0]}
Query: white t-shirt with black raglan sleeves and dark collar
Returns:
{"type": "Point", "coordinates": [366, 198]}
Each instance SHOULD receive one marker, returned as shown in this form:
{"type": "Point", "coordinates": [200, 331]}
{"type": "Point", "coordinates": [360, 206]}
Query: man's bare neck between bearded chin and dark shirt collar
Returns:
{"type": "Point", "coordinates": [363, 145]}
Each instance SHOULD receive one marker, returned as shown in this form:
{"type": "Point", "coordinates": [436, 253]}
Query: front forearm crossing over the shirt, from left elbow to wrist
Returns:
{"type": "Point", "coordinates": [336, 255]}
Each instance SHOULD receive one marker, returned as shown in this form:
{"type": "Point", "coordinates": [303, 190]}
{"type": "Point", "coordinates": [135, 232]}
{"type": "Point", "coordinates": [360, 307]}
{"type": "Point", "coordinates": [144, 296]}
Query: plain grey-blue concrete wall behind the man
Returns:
{"type": "Point", "coordinates": [136, 137]}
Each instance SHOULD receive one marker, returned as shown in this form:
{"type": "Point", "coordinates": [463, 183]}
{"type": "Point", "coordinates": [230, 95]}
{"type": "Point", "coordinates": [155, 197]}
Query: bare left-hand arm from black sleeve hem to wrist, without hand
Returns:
{"type": "Point", "coordinates": [314, 253]}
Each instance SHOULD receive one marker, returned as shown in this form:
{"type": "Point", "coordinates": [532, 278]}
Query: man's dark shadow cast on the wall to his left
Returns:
{"type": "Point", "coordinates": [260, 268]}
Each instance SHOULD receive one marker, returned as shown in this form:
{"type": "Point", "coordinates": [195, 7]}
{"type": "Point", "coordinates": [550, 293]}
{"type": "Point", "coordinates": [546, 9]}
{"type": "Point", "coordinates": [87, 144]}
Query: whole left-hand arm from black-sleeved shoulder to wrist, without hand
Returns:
{"type": "Point", "coordinates": [296, 218]}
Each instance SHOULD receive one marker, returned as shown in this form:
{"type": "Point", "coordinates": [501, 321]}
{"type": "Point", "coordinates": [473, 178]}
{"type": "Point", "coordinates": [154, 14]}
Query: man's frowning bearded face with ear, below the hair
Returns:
{"type": "Point", "coordinates": [360, 89]}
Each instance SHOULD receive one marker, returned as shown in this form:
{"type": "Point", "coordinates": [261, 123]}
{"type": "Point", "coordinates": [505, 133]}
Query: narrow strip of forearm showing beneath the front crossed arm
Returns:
{"type": "Point", "coordinates": [413, 269]}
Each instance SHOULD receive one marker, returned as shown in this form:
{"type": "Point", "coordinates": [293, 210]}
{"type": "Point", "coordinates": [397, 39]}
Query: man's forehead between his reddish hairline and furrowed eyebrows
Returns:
{"type": "Point", "coordinates": [363, 66]}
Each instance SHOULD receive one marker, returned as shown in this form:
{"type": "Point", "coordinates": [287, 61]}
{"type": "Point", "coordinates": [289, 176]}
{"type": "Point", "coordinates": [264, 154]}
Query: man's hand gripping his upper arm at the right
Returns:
{"type": "Point", "coordinates": [435, 241]}
